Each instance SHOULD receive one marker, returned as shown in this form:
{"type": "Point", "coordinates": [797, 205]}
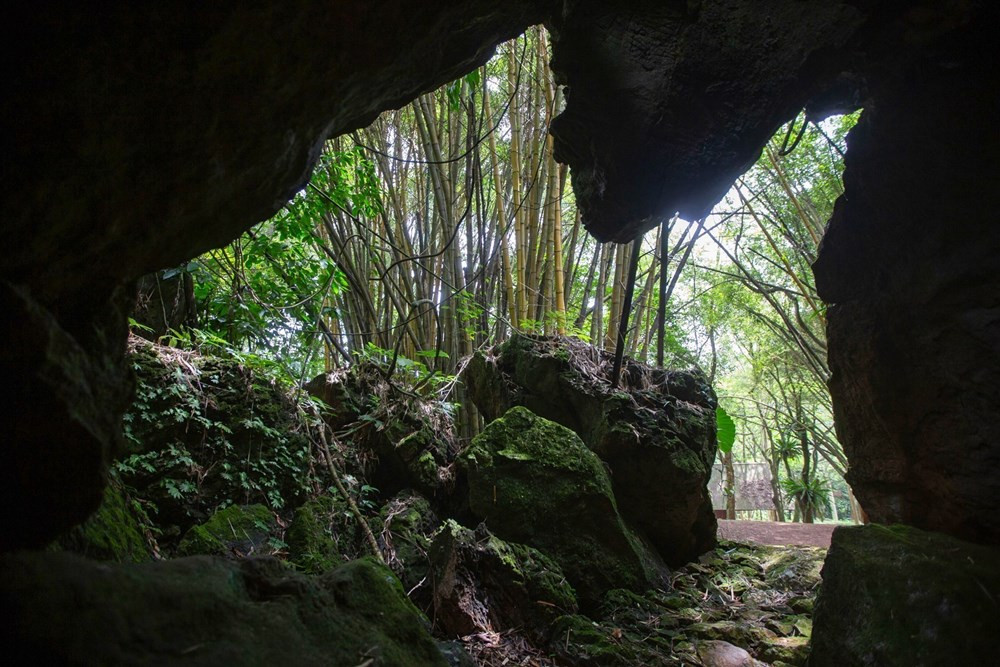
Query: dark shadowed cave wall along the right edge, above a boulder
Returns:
{"type": "Point", "coordinates": [911, 260]}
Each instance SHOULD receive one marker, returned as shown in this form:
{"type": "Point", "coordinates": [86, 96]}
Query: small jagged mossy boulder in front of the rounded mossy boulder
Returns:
{"type": "Point", "coordinates": [483, 583]}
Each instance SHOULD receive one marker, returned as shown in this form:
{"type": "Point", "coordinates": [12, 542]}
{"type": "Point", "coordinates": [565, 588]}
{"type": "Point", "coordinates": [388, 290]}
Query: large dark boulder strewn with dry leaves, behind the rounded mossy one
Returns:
{"type": "Point", "coordinates": [656, 433]}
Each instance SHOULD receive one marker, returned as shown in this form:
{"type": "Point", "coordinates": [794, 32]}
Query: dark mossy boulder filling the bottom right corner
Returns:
{"type": "Point", "coordinates": [897, 595]}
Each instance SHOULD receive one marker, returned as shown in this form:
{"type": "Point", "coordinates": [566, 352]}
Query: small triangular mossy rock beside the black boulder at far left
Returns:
{"type": "Point", "coordinates": [113, 532]}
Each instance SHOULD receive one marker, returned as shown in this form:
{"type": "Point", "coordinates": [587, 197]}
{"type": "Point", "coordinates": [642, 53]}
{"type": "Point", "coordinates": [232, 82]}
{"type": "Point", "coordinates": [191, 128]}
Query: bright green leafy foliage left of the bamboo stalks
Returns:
{"type": "Point", "coordinates": [266, 291]}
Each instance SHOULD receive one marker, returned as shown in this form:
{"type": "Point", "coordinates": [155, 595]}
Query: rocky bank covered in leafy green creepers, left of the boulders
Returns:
{"type": "Point", "coordinates": [208, 427]}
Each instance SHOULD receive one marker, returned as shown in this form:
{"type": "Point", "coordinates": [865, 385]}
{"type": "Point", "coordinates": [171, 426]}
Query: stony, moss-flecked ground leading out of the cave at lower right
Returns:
{"type": "Point", "coordinates": [740, 604]}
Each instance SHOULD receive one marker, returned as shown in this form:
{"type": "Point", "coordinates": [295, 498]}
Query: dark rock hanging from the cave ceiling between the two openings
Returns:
{"type": "Point", "coordinates": [666, 103]}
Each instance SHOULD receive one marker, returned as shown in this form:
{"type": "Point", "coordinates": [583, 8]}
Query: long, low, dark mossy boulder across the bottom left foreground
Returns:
{"type": "Point", "coordinates": [206, 611]}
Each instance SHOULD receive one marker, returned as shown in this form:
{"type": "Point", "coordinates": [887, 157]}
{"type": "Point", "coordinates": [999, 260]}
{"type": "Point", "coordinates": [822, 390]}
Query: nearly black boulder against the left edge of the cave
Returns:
{"type": "Point", "coordinates": [63, 419]}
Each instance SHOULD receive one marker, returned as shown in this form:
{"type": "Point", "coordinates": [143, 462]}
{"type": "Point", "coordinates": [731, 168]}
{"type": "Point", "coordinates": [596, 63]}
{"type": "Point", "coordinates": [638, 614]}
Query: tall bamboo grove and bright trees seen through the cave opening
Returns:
{"type": "Point", "coordinates": [448, 225]}
